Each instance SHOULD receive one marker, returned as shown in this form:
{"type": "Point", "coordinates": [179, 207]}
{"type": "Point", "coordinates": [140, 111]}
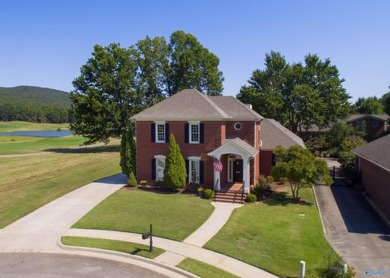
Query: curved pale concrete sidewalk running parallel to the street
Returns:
{"type": "Point", "coordinates": [177, 251]}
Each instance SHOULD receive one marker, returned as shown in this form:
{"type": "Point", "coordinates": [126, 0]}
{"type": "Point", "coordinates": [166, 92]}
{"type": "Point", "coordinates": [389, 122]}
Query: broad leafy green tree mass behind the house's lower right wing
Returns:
{"type": "Point", "coordinates": [297, 95]}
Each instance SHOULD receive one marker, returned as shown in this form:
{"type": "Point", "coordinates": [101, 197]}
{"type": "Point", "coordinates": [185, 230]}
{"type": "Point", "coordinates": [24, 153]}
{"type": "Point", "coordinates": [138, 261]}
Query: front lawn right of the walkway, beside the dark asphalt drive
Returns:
{"type": "Point", "coordinates": [275, 236]}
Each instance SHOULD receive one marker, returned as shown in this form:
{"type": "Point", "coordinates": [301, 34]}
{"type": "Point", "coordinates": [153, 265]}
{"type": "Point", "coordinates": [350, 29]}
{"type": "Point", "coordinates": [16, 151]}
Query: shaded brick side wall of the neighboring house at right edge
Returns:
{"type": "Point", "coordinates": [376, 182]}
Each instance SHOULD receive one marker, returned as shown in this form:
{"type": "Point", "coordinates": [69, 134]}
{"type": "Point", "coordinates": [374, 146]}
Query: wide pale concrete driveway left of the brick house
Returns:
{"type": "Point", "coordinates": [41, 229]}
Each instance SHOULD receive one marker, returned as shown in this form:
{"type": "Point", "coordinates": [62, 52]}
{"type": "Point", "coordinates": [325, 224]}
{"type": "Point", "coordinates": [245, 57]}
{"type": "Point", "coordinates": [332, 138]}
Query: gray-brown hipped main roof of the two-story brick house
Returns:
{"type": "Point", "coordinates": [190, 104]}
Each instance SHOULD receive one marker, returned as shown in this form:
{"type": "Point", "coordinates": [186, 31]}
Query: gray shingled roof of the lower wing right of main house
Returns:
{"type": "Point", "coordinates": [273, 134]}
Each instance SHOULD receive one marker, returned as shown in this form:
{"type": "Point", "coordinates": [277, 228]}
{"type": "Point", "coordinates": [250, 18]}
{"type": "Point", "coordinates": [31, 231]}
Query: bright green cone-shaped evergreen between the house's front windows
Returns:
{"type": "Point", "coordinates": [175, 173]}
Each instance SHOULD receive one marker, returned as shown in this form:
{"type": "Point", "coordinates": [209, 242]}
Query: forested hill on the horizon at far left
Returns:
{"type": "Point", "coordinates": [34, 104]}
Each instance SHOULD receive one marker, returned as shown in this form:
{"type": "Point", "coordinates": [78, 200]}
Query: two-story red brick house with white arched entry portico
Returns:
{"type": "Point", "coordinates": [208, 129]}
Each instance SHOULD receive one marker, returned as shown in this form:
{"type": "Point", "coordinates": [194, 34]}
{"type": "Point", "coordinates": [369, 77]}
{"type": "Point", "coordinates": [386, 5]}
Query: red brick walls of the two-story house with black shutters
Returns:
{"type": "Point", "coordinates": [214, 134]}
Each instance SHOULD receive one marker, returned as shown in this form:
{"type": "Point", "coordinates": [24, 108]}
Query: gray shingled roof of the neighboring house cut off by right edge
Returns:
{"type": "Point", "coordinates": [377, 152]}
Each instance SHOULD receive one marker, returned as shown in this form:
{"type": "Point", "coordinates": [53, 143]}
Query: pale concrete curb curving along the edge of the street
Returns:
{"type": "Point", "coordinates": [126, 256]}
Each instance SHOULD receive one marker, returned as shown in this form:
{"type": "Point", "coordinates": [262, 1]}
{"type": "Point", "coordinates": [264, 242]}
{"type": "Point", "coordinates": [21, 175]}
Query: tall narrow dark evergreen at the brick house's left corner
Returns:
{"type": "Point", "coordinates": [128, 153]}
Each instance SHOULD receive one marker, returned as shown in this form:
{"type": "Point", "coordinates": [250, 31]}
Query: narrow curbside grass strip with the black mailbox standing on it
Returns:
{"type": "Point", "coordinates": [114, 245]}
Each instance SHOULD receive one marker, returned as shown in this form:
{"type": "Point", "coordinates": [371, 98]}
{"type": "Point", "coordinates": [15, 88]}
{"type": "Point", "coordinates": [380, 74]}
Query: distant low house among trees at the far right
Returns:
{"type": "Point", "coordinates": [375, 125]}
